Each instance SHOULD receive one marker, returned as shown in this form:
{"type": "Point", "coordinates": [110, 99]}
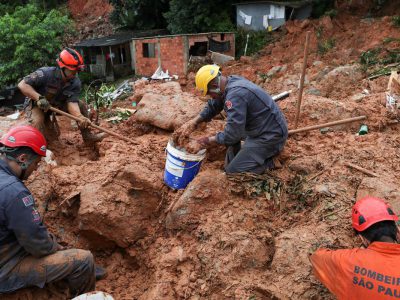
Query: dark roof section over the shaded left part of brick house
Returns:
{"type": "Point", "coordinates": [118, 38]}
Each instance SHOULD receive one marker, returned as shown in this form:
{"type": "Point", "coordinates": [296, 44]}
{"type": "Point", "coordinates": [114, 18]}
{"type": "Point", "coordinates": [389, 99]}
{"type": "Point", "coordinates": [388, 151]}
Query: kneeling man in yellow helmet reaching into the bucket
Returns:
{"type": "Point", "coordinates": [252, 115]}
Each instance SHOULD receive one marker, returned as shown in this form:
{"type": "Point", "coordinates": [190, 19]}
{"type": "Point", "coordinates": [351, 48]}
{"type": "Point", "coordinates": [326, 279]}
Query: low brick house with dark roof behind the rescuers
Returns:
{"type": "Point", "coordinates": [143, 53]}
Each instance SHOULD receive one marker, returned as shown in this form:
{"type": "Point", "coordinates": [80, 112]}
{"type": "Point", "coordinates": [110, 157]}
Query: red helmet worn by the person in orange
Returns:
{"type": "Point", "coordinates": [370, 210]}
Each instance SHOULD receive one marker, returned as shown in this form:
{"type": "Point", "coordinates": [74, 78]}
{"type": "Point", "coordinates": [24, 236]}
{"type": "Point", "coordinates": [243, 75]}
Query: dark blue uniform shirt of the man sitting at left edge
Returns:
{"type": "Point", "coordinates": [22, 232]}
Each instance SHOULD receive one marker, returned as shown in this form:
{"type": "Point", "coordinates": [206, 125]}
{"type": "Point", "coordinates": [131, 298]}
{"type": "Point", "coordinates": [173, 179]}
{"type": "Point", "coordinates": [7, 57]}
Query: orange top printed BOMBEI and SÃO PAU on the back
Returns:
{"type": "Point", "coordinates": [372, 273]}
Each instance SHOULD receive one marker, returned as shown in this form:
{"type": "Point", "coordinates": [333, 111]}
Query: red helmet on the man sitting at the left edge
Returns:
{"type": "Point", "coordinates": [25, 136]}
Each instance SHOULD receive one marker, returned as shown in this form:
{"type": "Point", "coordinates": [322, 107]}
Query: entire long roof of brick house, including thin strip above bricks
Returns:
{"type": "Point", "coordinates": [123, 37]}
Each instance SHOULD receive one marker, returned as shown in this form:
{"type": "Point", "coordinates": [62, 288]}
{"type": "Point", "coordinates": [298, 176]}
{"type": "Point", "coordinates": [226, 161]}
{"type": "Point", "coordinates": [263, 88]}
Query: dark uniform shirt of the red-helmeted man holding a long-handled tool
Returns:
{"type": "Point", "coordinates": [47, 81]}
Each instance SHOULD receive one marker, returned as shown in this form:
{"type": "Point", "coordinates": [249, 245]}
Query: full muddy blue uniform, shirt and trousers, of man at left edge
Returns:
{"type": "Point", "coordinates": [28, 253]}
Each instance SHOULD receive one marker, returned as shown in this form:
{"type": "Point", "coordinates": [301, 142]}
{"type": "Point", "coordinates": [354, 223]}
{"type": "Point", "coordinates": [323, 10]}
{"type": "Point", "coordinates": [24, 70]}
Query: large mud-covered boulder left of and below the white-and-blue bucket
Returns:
{"type": "Point", "coordinates": [119, 210]}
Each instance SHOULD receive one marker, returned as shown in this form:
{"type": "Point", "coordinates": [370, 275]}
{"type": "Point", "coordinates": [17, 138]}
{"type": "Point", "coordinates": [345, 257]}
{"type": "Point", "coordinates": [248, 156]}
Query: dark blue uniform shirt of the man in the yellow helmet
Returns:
{"type": "Point", "coordinates": [251, 114]}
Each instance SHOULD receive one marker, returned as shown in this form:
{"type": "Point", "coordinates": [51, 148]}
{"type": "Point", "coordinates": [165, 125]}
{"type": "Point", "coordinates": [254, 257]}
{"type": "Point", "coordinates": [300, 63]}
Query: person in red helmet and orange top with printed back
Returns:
{"type": "Point", "coordinates": [366, 273]}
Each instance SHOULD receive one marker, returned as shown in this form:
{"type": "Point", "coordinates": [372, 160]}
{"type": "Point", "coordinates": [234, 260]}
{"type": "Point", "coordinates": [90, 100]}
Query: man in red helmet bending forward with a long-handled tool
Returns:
{"type": "Point", "coordinates": [60, 87]}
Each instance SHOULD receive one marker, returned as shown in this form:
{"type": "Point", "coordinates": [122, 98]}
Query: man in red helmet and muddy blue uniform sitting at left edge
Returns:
{"type": "Point", "coordinates": [29, 255]}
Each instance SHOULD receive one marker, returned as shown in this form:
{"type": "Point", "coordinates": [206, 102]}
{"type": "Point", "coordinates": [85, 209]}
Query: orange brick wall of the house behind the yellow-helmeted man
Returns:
{"type": "Point", "coordinates": [173, 54]}
